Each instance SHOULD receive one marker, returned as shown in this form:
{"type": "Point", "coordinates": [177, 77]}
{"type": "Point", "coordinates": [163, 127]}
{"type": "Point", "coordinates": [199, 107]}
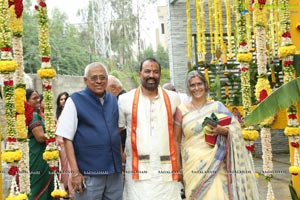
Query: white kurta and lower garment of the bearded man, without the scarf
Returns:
{"type": "Point", "coordinates": [152, 142]}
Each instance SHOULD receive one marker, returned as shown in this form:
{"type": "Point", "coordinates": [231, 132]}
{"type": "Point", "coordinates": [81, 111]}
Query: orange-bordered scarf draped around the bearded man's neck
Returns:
{"type": "Point", "coordinates": [135, 156]}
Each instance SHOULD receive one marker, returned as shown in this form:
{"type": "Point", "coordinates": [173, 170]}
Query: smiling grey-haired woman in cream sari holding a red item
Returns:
{"type": "Point", "coordinates": [211, 171]}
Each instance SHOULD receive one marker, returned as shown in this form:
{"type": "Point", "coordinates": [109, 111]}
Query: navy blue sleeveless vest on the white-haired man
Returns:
{"type": "Point", "coordinates": [97, 140]}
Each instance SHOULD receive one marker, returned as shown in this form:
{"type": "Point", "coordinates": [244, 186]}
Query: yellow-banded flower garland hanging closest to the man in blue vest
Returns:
{"type": "Point", "coordinates": [47, 73]}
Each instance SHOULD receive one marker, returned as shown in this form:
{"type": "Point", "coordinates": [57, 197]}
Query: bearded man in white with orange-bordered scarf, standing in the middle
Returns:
{"type": "Point", "coordinates": [151, 166]}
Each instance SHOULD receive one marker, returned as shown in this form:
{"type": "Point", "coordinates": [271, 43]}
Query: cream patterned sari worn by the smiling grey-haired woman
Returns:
{"type": "Point", "coordinates": [223, 171]}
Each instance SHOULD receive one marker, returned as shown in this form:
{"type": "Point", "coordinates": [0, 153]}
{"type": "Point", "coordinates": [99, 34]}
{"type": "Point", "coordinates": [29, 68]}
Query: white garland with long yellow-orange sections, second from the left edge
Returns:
{"type": "Point", "coordinates": [16, 24]}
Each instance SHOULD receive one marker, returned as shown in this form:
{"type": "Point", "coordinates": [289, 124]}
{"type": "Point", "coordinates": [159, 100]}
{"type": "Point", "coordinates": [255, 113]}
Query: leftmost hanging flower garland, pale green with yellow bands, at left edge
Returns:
{"type": "Point", "coordinates": [12, 154]}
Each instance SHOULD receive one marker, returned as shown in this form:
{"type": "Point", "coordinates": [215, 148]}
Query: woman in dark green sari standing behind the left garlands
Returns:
{"type": "Point", "coordinates": [41, 181]}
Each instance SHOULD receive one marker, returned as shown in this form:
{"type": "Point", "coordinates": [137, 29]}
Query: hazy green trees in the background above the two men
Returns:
{"type": "Point", "coordinates": [73, 45]}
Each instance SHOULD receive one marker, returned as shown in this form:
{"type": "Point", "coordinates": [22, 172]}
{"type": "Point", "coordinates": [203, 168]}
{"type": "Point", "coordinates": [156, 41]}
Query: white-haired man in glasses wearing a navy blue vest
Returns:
{"type": "Point", "coordinates": [89, 126]}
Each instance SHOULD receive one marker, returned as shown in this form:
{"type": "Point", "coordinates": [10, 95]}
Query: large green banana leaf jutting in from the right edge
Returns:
{"type": "Point", "coordinates": [284, 96]}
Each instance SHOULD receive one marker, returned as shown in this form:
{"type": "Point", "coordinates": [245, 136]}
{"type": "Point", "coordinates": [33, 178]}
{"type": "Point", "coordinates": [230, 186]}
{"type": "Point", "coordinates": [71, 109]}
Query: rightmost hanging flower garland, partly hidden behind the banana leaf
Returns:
{"type": "Point", "coordinates": [286, 52]}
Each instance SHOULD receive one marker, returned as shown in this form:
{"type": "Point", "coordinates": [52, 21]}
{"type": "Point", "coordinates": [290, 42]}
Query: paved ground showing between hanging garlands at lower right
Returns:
{"type": "Point", "coordinates": [280, 181]}
